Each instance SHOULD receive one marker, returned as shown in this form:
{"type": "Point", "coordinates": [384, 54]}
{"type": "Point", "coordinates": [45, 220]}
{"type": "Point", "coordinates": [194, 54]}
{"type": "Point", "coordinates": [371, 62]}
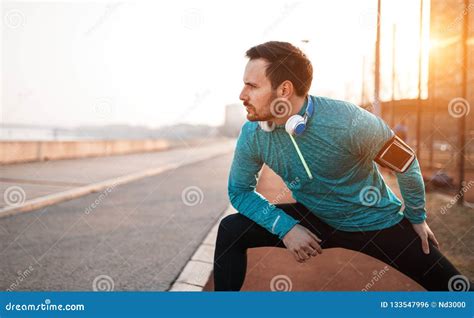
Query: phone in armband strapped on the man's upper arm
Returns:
{"type": "Point", "coordinates": [395, 155]}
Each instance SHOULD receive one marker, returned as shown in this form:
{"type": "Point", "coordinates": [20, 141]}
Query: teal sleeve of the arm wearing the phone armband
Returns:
{"type": "Point", "coordinates": [369, 133]}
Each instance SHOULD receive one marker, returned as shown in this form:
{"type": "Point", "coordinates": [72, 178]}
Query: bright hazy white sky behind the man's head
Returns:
{"type": "Point", "coordinates": [157, 63]}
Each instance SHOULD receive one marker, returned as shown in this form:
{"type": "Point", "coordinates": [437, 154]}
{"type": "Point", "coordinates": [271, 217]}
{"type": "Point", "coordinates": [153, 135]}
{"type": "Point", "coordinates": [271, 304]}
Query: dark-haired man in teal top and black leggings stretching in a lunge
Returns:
{"type": "Point", "coordinates": [326, 158]}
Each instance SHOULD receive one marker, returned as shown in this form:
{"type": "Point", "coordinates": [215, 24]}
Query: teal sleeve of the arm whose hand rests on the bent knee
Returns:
{"type": "Point", "coordinates": [241, 188]}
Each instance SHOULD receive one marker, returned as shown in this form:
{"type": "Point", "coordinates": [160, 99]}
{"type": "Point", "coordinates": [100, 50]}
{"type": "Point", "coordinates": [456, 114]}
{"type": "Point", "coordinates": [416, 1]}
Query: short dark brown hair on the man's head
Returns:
{"type": "Point", "coordinates": [286, 62]}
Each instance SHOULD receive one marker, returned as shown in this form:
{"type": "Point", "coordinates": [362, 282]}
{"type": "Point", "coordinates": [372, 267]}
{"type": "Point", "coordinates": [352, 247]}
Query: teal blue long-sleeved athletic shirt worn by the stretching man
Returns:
{"type": "Point", "coordinates": [347, 190]}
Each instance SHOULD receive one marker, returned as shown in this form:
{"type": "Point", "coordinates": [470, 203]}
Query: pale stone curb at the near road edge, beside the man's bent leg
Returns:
{"type": "Point", "coordinates": [197, 271]}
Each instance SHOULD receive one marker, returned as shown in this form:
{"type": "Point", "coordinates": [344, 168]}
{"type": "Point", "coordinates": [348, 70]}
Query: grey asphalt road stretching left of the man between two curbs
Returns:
{"type": "Point", "coordinates": [137, 236]}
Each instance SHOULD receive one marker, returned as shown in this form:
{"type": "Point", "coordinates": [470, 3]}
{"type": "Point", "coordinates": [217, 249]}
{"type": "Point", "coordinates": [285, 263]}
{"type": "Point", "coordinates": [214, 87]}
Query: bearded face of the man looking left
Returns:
{"type": "Point", "coordinates": [257, 93]}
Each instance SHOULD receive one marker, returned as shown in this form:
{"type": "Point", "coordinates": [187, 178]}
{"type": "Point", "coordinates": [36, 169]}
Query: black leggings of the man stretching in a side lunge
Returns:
{"type": "Point", "coordinates": [398, 246]}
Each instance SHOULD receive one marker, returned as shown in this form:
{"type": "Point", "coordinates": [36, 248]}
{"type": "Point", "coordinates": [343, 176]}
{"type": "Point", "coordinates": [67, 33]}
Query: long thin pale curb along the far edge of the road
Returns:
{"type": "Point", "coordinates": [51, 199]}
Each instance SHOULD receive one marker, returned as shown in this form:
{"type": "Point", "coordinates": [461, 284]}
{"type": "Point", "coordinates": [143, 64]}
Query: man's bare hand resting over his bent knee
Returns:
{"type": "Point", "coordinates": [302, 243]}
